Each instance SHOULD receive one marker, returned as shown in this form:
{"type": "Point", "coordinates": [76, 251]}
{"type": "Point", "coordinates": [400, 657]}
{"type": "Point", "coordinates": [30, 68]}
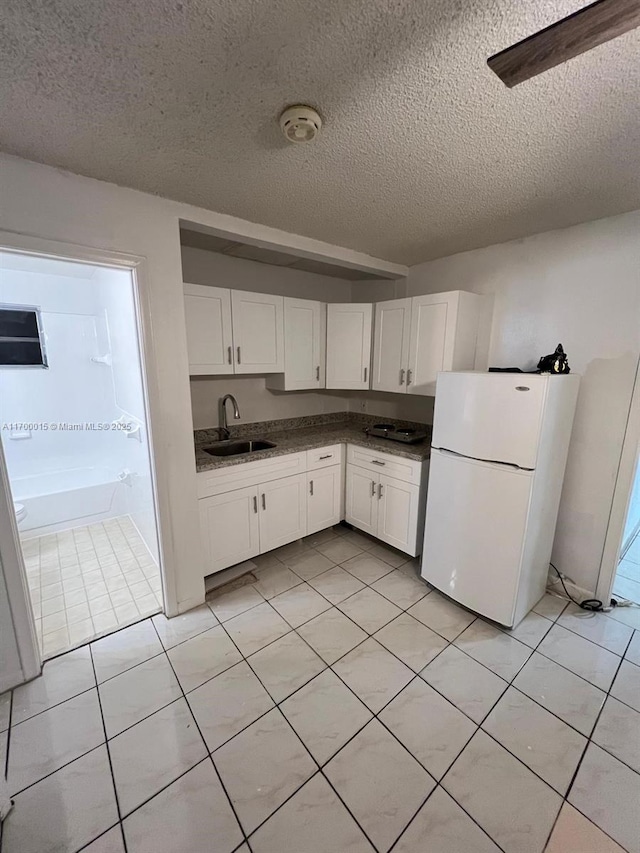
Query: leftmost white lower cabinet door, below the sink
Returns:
{"type": "Point", "coordinates": [229, 528]}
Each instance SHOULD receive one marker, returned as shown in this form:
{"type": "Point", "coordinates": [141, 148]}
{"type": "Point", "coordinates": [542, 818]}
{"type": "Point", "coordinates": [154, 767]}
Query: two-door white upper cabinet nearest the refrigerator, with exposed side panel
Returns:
{"type": "Point", "coordinates": [416, 338]}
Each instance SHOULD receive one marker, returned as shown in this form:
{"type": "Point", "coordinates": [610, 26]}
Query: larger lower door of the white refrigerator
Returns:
{"type": "Point", "coordinates": [475, 533]}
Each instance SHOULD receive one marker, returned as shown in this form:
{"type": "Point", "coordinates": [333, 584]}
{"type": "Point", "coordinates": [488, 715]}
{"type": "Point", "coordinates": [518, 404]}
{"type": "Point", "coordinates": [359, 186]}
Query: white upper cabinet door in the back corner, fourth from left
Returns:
{"type": "Point", "coordinates": [348, 345]}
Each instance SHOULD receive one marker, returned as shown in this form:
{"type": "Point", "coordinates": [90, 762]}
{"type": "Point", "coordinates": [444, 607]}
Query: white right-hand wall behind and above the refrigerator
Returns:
{"type": "Point", "coordinates": [580, 286]}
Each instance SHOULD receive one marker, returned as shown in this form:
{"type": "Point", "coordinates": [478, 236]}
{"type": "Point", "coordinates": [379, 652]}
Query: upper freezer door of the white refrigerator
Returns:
{"type": "Point", "coordinates": [492, 416]}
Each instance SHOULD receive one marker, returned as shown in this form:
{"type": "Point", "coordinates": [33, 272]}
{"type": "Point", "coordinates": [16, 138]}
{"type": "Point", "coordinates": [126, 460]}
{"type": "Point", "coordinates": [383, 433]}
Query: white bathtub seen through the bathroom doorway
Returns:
{"type": "Point", "coordinates": [59, 500]}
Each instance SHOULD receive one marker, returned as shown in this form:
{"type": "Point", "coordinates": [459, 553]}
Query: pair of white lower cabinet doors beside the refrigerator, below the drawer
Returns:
{"type": "Point", "coordinates": [388, 509]}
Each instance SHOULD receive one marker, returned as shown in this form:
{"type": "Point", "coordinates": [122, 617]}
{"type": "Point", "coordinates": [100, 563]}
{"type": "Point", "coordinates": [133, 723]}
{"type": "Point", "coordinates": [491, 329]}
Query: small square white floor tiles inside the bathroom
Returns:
{"type": "Point", "coordinates": [88, 581]}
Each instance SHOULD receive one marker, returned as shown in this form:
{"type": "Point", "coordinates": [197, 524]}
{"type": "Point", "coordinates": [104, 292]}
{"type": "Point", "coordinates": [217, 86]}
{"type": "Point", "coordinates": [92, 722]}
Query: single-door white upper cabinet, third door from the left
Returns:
{"type": "Point", "coordinates": [305, 334]}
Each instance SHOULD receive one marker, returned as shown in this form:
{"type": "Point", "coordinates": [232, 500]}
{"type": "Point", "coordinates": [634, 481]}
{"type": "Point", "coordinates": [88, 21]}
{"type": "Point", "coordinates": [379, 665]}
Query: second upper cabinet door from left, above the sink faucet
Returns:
{"type": "Point", "coordinates": [258, 332]}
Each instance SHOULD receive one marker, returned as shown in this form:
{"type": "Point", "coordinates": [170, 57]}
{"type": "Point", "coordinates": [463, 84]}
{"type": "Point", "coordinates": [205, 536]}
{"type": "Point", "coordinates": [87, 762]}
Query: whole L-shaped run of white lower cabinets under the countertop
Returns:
{"type": "Point", "coordinates": [252, 508]}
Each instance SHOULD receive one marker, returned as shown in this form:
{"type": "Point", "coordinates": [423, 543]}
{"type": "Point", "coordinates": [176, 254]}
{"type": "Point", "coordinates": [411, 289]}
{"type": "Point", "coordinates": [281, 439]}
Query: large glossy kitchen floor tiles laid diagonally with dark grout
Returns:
{"type": "Point", "coordinates": [337, 704]}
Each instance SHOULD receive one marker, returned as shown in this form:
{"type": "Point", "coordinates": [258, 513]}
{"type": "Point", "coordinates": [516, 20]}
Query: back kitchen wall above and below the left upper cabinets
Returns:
{"type": "Point", "coordinates": [256, 402]}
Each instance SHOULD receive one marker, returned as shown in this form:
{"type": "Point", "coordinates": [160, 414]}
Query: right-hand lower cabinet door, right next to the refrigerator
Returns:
{"type": "Point", "coordinates": [398, 505]}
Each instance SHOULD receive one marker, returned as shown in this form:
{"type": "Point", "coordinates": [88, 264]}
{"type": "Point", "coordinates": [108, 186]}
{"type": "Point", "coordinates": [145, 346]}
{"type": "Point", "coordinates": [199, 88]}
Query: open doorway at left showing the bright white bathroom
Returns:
{"type": "Point", "coordinates": [74, 431]}
